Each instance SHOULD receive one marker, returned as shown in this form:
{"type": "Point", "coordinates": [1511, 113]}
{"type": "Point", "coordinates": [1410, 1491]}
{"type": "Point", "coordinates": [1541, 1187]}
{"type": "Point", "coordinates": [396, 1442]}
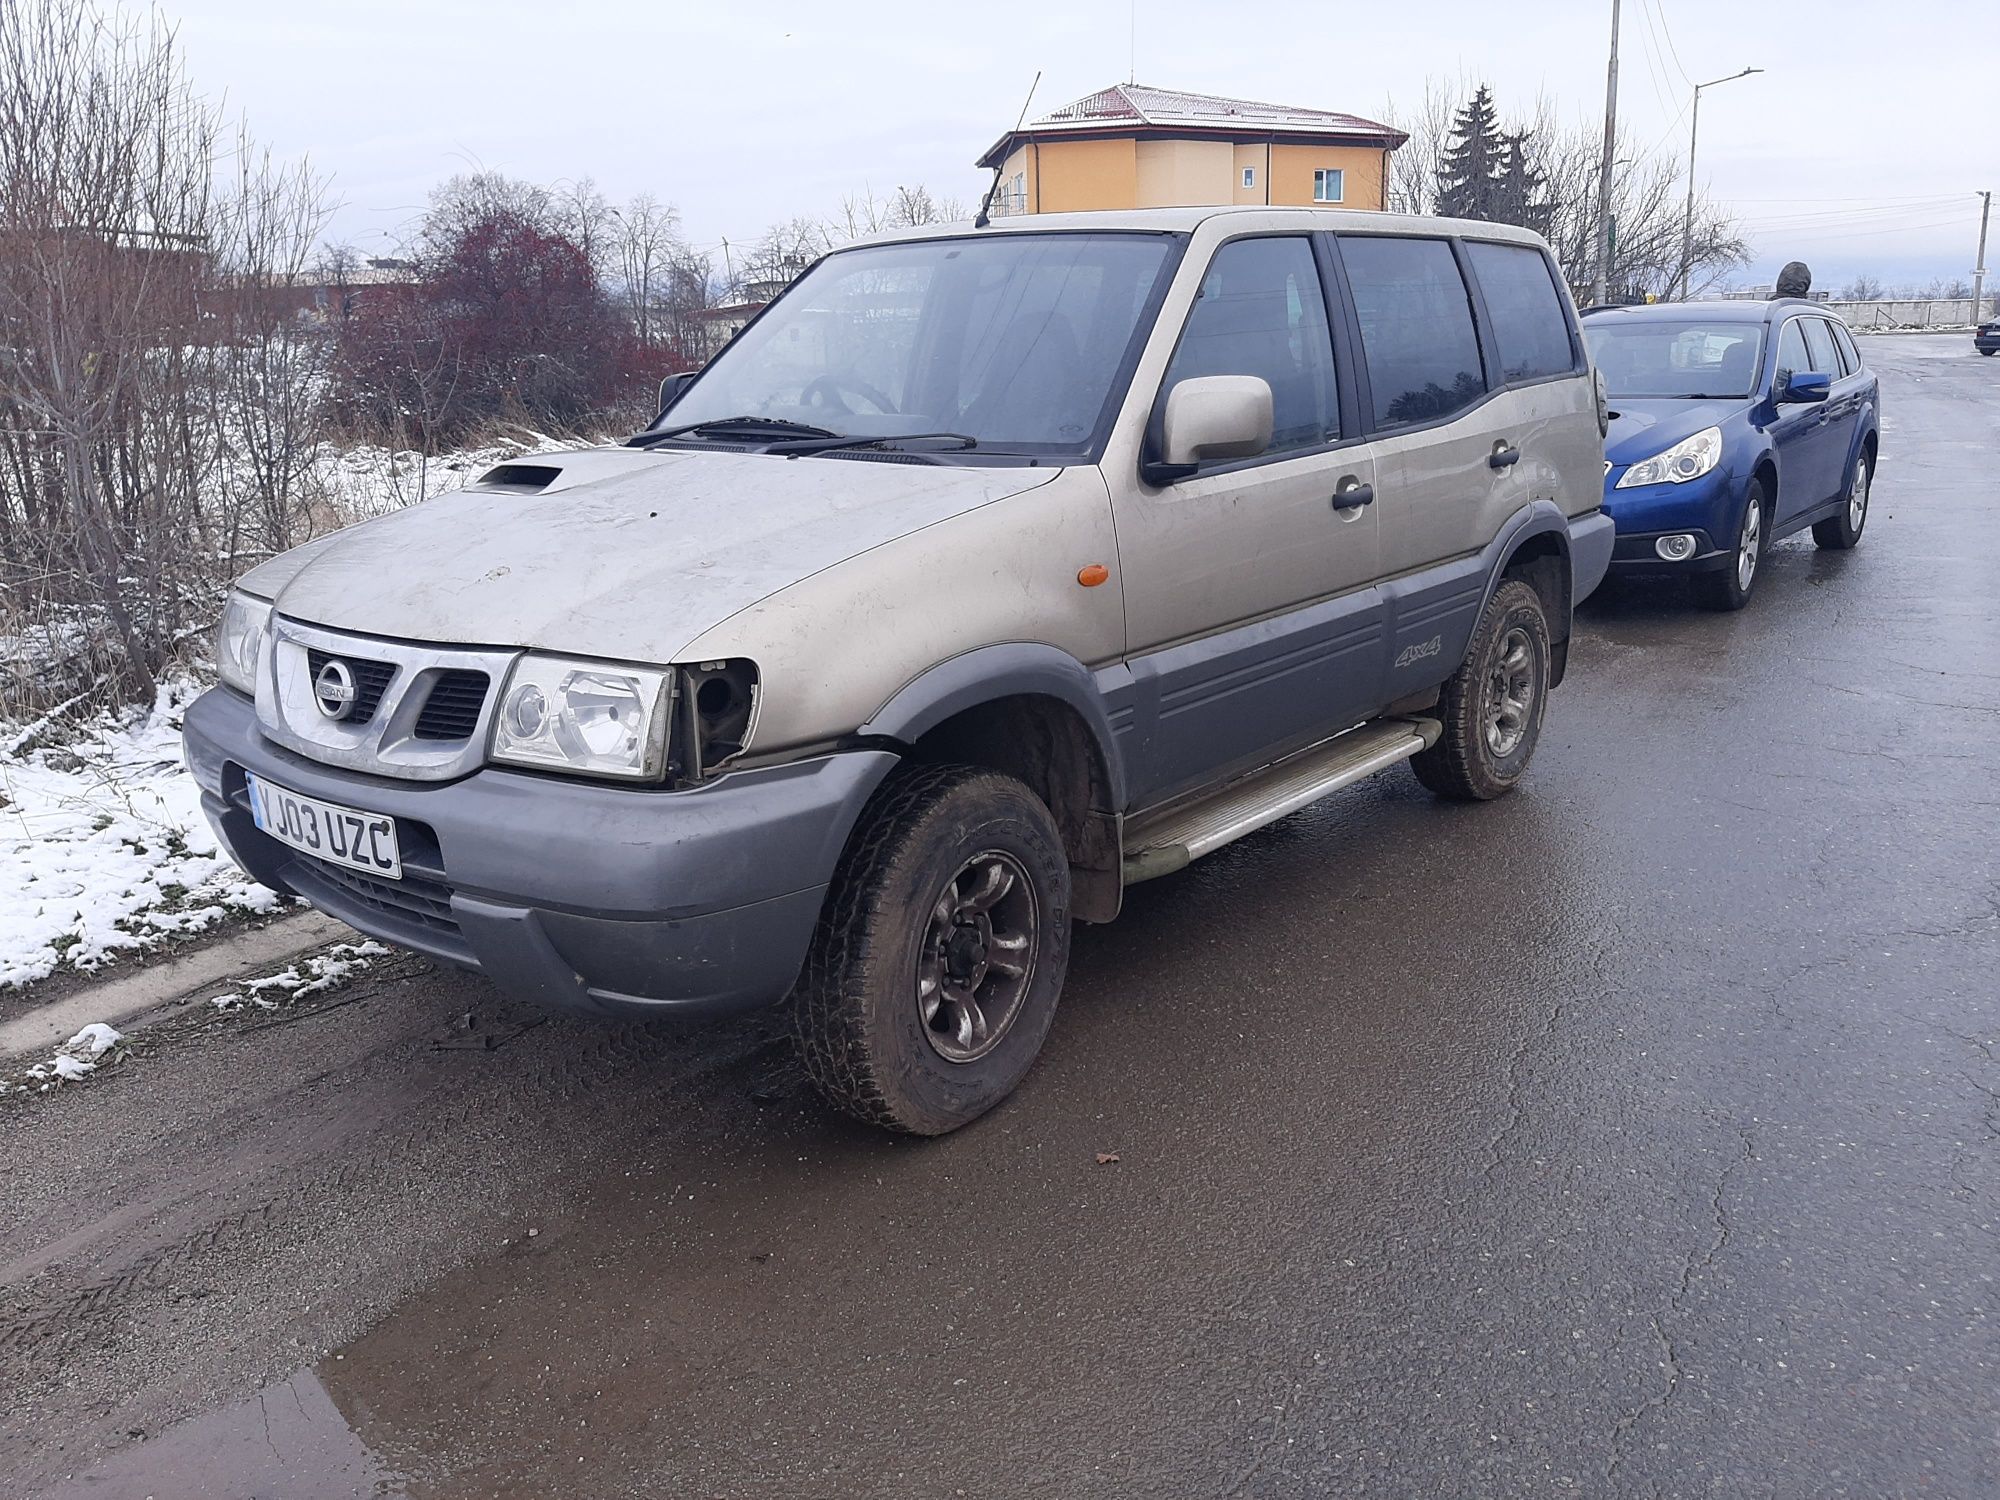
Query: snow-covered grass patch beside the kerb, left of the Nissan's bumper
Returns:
{"type": "Point", "coordinates": [105, 847]}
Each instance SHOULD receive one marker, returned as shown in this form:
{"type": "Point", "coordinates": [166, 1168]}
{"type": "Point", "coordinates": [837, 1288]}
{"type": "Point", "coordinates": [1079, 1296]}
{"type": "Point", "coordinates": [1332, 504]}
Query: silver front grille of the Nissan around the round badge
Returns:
{"type": "Point", "coordinates": [417, 713]}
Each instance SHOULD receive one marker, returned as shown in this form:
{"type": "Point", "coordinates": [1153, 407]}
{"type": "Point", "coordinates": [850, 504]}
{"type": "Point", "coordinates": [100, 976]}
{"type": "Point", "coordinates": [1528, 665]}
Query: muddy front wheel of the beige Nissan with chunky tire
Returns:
{"type": "Point", "coordinates": [859, 1013]}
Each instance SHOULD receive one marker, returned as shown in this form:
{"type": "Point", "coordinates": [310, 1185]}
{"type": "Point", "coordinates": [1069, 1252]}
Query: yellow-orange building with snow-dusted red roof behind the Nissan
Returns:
{"type": "Point", "coordinates": [1137, 147]}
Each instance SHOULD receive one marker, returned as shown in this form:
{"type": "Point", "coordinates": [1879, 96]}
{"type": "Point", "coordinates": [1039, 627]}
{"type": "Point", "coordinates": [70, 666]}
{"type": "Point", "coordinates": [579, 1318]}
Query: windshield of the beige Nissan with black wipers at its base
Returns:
{"type": "Point", "coordinates": [1013, 341]}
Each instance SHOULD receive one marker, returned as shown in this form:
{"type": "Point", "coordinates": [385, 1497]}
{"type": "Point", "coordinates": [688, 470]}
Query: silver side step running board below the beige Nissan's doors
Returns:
{"type": "Point", "coordinates": [1171, 839]}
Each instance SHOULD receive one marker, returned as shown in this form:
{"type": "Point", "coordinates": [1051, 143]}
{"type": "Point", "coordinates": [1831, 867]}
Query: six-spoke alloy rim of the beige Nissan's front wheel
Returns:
{"type": "Point", "coordinates": [977, 959]}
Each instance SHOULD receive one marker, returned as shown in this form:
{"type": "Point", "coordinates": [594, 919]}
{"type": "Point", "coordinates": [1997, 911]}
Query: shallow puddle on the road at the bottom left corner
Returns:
{"type": "Point", "coordinates": [287, 1441]}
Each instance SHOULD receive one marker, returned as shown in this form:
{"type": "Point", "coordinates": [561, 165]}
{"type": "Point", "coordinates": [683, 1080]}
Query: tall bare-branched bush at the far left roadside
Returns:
{"type": "Point", "coordinates": [155, 393]}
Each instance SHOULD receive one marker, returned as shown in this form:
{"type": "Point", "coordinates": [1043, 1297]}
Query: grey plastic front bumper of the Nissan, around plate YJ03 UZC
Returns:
{"type": "Point", "coordinates": [567, 893]}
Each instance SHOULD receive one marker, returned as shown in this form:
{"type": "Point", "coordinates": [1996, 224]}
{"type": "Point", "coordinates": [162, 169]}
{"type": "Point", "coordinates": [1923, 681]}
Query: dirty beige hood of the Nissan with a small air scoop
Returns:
{"type": "Point", "coordinates": [615, 551]}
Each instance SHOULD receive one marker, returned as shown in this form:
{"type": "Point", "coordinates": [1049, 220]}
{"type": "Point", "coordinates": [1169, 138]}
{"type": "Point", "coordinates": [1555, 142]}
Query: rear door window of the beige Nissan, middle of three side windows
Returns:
{"type": "Point", "coordinates": [1417, 327]}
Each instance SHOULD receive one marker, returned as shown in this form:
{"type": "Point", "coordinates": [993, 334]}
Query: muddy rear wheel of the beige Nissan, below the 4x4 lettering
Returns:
{"type": "Point", "coordinates": [1495, 701]}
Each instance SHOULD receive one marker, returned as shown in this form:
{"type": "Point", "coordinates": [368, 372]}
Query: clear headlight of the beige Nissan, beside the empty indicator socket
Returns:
{"type": "Point", "coordinates": [591, 717]}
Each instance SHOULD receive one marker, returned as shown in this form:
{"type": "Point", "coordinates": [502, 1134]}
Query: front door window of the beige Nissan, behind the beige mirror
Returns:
{"type": "Point", "coordinates": [1261, 313]}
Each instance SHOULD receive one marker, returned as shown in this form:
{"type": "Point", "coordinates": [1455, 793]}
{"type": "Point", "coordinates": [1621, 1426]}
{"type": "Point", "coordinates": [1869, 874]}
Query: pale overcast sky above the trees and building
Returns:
{"type": "Point", "coordinates": [1859, 149]}
